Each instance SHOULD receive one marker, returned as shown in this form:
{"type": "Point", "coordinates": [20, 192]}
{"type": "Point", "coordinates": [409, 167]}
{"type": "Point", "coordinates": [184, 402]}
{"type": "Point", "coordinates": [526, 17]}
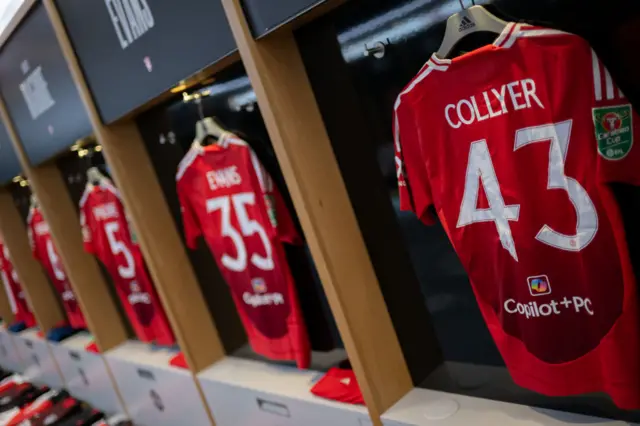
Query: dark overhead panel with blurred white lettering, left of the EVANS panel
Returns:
{"type": "Point", "coordinates": [39, 91]}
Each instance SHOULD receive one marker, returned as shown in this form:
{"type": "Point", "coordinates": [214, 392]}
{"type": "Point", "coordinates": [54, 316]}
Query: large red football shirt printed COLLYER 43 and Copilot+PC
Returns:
{"type": "Point", "coordinates": [514, 144]}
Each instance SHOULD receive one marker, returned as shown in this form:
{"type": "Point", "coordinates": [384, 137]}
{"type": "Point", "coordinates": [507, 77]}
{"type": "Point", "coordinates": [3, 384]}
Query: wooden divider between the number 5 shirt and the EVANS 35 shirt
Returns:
{"type": "Point", "coordinates": [160, 242]}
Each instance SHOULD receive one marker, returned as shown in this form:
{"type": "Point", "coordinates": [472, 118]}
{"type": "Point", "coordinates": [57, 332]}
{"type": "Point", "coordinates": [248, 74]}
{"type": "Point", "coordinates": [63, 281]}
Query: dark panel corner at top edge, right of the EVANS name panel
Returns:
{"type": "Point", "coordinates": [266, 16]}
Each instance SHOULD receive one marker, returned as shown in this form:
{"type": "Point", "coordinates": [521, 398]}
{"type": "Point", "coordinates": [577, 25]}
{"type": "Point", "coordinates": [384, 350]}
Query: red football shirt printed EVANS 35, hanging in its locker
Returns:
{"type": "Point", "coordinates": [226, 194]}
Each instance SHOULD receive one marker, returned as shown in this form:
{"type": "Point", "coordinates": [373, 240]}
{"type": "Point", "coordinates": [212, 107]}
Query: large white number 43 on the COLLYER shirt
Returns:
{"type": "Point", "coordinates": [480, 170]}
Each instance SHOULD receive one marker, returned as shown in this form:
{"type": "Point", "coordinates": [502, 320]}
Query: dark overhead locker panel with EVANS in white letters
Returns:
{"type": "Point", "coordinates": [133, 51]}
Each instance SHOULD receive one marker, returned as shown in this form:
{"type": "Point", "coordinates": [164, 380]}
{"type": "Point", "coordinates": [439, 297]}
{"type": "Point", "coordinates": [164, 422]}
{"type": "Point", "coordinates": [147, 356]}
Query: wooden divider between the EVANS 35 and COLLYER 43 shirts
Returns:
{"type": "Point", "coordinates": [304, 151]}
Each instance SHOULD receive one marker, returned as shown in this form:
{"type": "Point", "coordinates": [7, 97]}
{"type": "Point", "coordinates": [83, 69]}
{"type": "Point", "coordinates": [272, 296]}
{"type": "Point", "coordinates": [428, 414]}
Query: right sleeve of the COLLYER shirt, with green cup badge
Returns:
{"type": "Point", "coordinates": [617, 129]}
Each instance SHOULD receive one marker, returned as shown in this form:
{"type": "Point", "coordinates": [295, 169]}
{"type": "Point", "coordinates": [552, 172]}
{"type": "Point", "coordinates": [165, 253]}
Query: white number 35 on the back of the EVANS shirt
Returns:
{"type": "Point", "coordinates": [248, 227]}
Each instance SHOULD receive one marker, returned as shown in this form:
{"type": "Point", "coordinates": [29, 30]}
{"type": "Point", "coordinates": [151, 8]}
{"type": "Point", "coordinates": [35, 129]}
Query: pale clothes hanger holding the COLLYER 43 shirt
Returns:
{"type": "Point", "coordinates": [465, 22]}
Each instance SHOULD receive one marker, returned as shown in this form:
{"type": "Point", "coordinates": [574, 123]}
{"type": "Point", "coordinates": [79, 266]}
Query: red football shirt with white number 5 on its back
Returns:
{"type": "Point", "coordinates": [107, 235]}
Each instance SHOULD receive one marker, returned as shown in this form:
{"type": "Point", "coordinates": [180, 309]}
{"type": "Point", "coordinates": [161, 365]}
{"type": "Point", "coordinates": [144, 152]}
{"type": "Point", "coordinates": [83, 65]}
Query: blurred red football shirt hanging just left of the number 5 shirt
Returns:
{"type": "Point", "coordinates": [46, 253]}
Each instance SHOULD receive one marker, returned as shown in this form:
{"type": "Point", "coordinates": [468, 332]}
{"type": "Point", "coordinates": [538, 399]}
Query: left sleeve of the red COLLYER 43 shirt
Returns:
{"type": "Point", "coordinates": [413, 183]}
